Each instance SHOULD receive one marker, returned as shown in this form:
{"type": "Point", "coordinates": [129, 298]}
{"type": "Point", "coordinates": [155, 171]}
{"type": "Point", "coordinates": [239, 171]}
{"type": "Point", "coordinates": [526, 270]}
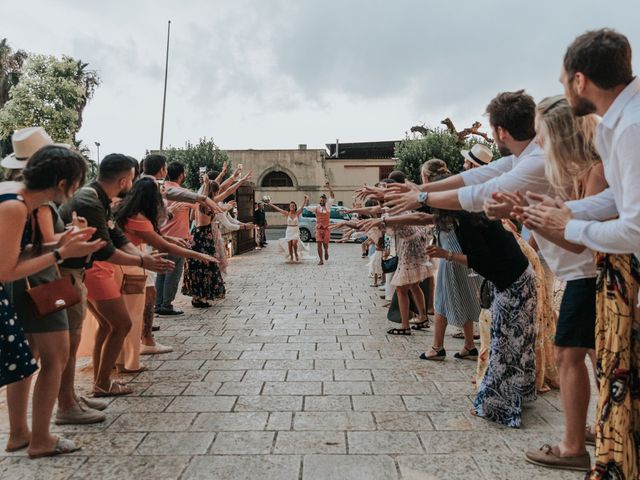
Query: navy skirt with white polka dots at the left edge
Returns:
{"type": "Point", "coordinates": [16, 361]}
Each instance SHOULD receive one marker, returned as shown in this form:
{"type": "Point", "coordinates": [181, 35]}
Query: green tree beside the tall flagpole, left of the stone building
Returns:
{"type": "Point", "coordinates": [205, 153]}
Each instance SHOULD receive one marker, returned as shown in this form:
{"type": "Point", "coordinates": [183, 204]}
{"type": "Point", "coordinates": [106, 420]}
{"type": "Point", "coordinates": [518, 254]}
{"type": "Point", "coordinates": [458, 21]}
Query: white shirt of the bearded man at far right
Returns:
{"type": "Point", "coordinates": [618, 143]}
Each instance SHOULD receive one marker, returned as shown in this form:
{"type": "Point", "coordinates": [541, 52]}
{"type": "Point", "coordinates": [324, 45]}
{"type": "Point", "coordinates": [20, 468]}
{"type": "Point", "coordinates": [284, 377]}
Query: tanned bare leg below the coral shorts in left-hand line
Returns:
{"type": "Point", "coordinates": [114, 314]}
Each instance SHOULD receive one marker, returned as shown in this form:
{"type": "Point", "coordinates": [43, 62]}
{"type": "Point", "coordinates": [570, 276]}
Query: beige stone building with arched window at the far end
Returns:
{"type": "Point", "coordinates": [287, 175]}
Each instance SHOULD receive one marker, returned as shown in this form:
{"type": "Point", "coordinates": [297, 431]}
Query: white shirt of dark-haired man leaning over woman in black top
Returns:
{"type": "Point", "coordinates": [524, 173]}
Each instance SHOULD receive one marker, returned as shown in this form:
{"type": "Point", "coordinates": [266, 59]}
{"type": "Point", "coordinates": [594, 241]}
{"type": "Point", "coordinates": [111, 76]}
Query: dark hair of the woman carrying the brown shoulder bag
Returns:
{"type": "Point", "coordinates": [52, 164]}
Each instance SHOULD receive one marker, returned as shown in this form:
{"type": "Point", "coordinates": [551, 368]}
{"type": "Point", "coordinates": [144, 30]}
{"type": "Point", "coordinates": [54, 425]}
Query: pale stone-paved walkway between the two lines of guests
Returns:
{"type": "Point", "coordinates": [293, 377]}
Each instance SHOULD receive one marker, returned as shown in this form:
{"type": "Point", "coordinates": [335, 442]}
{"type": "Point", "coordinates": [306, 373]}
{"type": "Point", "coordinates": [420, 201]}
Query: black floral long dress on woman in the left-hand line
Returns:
{"type": "Point", "coordinates": [202, 280]}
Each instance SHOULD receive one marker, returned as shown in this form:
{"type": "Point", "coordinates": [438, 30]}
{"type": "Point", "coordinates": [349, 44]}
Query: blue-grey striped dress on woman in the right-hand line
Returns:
{"type": "Point", "coordinates": [457, 294]}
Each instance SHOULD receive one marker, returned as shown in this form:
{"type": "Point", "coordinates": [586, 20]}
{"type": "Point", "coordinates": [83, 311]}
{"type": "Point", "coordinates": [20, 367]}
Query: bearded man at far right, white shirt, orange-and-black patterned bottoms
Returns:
{"type": "Point", "coordinates": [597, 78]}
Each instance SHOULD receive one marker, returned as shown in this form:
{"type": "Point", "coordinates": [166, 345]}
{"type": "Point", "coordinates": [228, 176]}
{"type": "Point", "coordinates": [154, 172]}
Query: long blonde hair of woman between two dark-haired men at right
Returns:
{"type": "Point", "coordinates": [568, 145]}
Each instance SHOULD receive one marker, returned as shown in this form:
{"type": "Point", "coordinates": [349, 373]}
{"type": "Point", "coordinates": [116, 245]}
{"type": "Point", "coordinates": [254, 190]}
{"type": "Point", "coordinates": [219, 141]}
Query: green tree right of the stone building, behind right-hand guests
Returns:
{"type": "Point", "coordinates": [413, 151]}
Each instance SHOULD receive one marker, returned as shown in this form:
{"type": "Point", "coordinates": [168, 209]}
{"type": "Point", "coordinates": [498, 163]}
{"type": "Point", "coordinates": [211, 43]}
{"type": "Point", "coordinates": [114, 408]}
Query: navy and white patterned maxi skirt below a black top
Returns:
{"type": "Point", "coordinates": [510, 380]}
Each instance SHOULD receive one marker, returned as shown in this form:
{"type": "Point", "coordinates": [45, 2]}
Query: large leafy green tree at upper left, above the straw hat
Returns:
{"type": "Point", "coordinates": [52, 93]}
